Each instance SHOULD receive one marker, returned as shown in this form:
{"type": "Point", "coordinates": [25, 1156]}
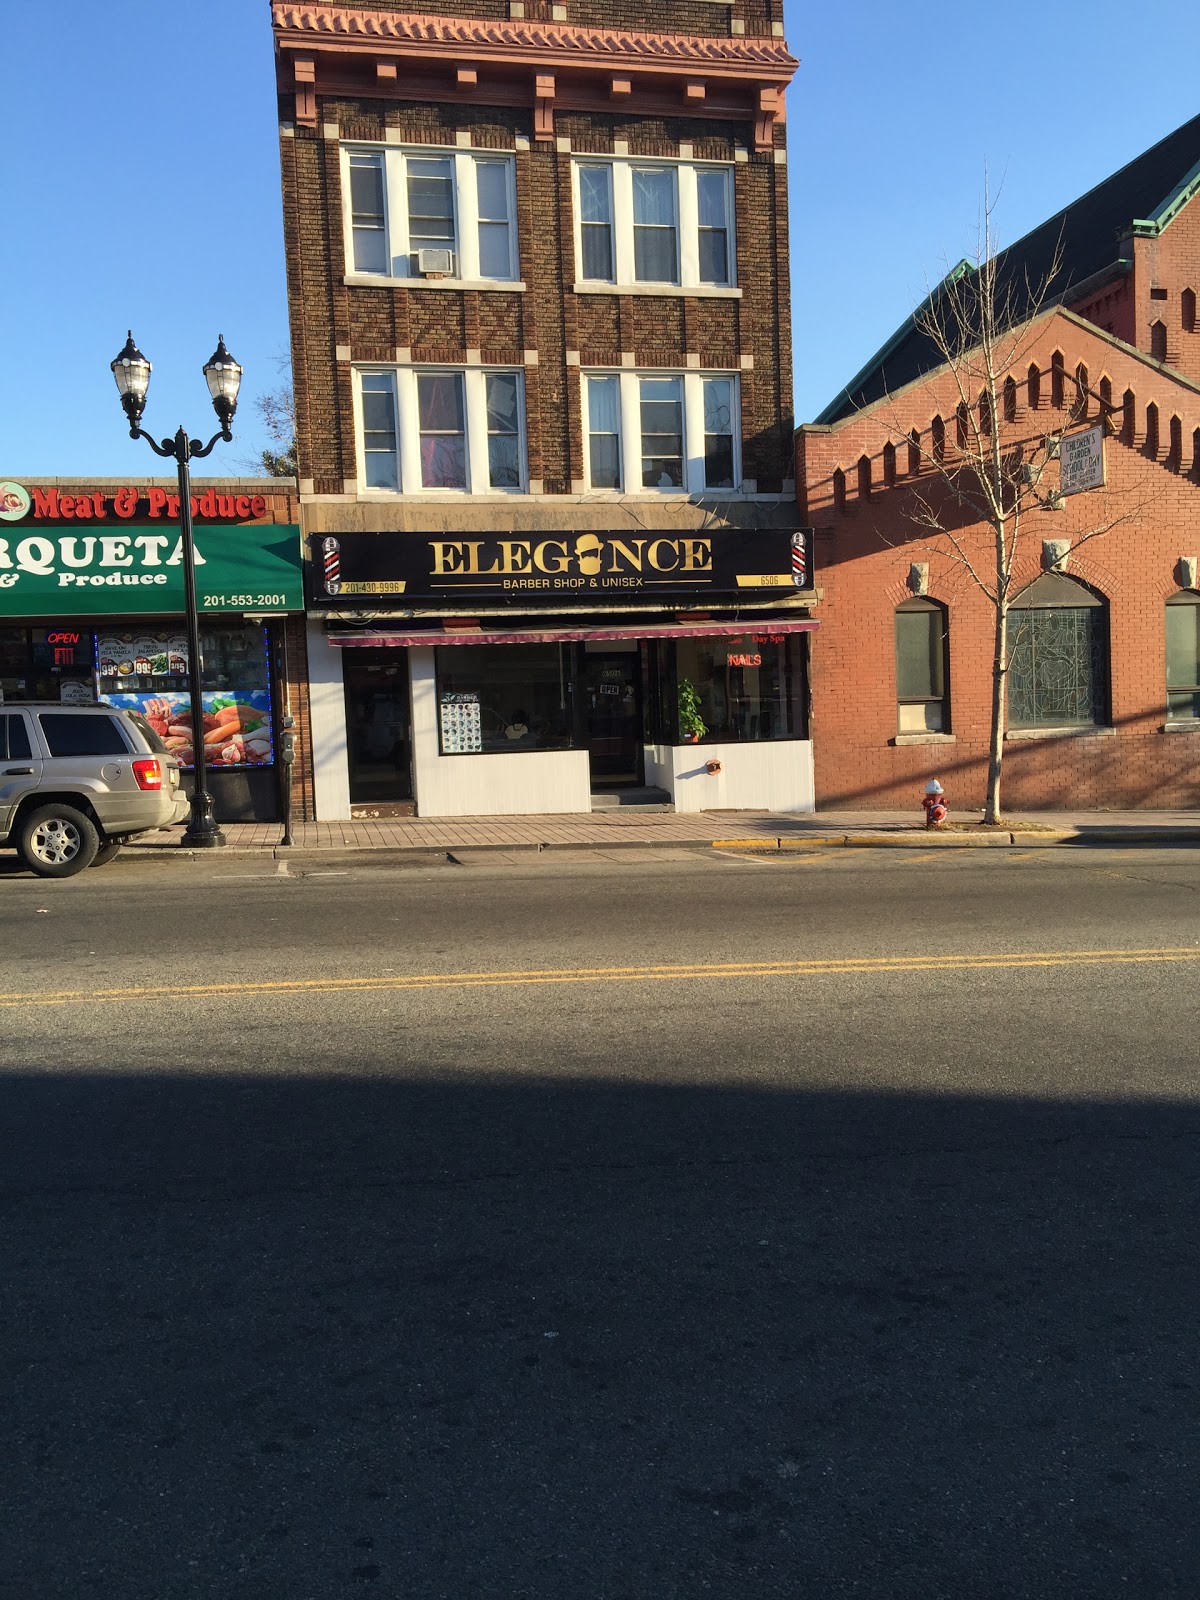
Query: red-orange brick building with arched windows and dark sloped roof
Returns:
{"type": "Point", "coordinates": [1103, 694]}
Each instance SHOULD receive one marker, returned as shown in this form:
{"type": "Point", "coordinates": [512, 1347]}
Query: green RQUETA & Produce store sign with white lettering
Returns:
{"type": "Point", "coordinates": [140, 570]}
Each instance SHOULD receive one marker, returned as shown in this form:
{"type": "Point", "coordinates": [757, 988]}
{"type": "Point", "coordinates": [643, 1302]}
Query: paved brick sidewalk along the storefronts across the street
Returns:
{"type": "Point", "coordinates": [732, 830]}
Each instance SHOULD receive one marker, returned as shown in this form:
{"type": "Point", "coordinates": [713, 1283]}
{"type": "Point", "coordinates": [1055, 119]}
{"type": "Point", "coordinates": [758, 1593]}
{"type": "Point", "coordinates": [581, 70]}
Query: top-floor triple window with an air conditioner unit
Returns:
{"type": "Point", "coordinates": [428, 214]}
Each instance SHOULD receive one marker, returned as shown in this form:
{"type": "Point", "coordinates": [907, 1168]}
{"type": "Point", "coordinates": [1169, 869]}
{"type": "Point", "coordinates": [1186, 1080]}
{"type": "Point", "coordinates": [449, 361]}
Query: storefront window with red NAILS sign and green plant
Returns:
{"type": "Point", "coordinates": [738, 689]}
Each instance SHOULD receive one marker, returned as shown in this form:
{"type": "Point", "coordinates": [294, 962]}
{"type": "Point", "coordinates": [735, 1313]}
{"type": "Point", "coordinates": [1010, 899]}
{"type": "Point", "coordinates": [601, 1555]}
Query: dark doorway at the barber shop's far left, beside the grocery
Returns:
{"type": "Point", "coordinates": [378, 726]}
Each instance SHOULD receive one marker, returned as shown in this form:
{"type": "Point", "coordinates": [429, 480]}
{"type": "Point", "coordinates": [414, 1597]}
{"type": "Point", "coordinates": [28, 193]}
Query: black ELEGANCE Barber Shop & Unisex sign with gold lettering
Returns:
{"type": "Point", "coordinates": [353, 569]}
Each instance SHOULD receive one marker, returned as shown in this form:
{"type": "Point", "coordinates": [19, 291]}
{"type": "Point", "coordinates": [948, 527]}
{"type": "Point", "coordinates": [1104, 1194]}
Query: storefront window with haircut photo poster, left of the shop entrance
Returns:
{"type": "Point", "coordinates": [503, 698]}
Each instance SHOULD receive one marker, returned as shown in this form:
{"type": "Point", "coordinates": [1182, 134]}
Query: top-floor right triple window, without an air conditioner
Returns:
{"type": "Point", "coordinates": [654, 223]}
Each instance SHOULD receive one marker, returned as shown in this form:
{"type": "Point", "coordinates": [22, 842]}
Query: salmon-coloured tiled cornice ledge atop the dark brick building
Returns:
{"type": "Point", "coordinates": [762, 57]}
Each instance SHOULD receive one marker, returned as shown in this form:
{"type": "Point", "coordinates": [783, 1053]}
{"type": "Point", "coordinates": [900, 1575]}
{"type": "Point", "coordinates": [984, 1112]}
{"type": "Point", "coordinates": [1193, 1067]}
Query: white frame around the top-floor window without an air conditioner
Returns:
{"type": "Point", "coordinates": [687, 225]}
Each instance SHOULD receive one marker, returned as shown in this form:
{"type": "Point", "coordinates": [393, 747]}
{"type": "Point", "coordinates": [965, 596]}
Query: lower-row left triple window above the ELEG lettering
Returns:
{"type": "Point", "coordinates": [442, 430]}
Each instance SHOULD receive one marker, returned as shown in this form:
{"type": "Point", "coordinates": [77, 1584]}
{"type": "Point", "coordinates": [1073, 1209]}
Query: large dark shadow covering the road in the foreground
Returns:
{"type": "Point", "coordinates": [322, 1337]}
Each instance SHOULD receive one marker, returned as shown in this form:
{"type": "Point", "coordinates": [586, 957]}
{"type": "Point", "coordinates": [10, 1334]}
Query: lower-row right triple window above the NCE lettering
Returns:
{"type": "Point", "coordinates": [662, 431]}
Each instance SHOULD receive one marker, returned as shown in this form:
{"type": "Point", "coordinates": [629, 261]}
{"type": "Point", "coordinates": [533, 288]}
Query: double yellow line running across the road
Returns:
{"type": "Point", "coordinates": [591, 975]}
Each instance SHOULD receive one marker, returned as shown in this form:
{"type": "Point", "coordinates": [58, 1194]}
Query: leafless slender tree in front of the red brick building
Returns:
{"type": "Point", "coordinates": [983, 474]}
